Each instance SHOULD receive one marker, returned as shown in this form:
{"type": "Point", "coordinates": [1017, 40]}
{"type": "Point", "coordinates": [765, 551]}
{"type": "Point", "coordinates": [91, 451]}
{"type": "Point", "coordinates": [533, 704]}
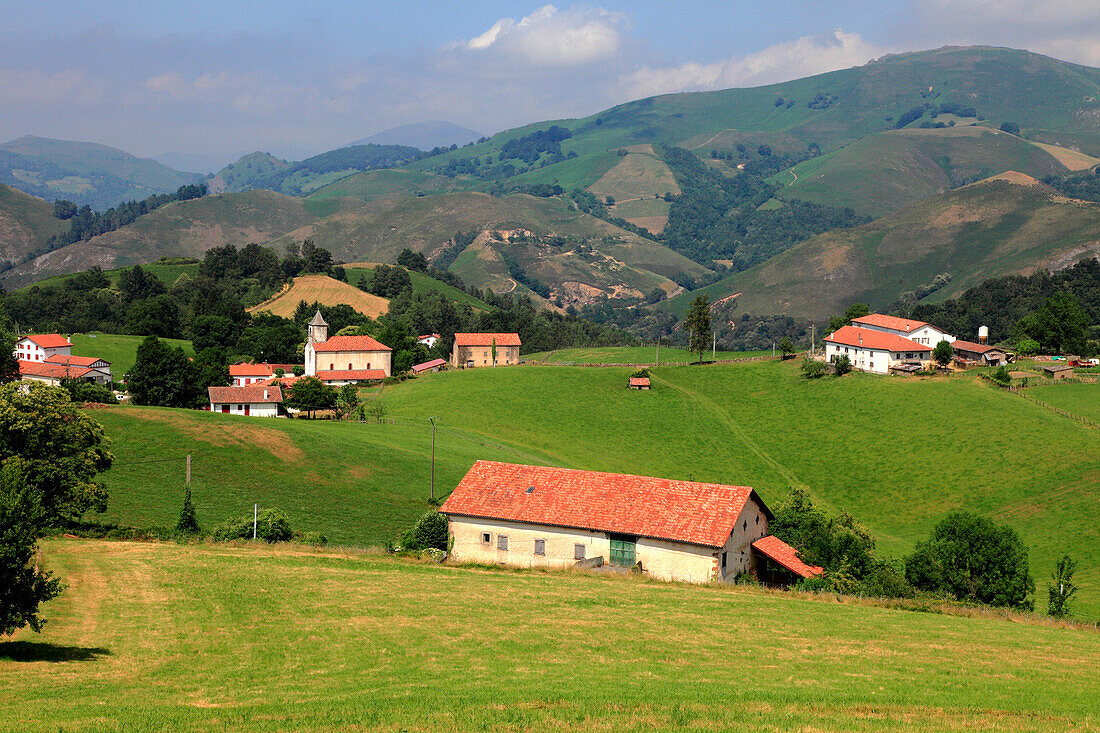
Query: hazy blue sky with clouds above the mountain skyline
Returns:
{"type": "Point", "coordinates": [214, 81]}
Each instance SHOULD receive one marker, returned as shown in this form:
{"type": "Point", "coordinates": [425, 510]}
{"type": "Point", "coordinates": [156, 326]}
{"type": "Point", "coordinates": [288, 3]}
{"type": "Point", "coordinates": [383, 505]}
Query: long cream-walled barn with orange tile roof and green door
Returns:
{"type": "Point", "coordinates": [534, 516]}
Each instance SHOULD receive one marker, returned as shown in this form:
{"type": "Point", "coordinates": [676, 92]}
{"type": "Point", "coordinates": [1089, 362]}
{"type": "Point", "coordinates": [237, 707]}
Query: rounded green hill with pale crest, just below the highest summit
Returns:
{"type": "Point", "coordinates": [888, 171]}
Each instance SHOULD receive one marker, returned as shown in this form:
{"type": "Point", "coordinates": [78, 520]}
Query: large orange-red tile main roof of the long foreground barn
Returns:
{"type": "Point", "coordinates": [645, 507]}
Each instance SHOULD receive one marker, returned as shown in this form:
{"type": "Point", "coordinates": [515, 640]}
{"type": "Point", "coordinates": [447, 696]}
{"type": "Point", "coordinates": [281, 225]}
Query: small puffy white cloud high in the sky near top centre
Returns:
{"type": "Point", "coordinates": [553, 38]}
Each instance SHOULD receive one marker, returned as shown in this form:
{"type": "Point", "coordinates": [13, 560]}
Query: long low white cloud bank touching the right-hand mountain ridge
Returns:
{"type": "Point", "coordinates": [777, 63]}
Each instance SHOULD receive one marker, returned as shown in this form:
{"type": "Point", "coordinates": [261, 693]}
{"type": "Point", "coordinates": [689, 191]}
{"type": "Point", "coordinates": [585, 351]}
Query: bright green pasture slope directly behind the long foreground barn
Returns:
{"type": "Point", "coordinates": [898, 454]}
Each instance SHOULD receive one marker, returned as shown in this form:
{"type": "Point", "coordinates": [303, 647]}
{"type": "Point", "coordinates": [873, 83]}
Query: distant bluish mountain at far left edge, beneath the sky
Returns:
{"type": "Point", "coordinates": [85, 173]}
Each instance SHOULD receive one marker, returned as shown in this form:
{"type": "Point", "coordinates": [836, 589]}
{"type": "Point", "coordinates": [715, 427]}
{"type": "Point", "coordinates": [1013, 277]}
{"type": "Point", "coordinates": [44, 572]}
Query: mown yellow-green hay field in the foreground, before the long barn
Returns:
{"type": "Point", "coordinates": [162, 637]}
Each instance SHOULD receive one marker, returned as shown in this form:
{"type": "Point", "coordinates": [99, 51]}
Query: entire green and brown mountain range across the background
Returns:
{"type": "Point", "coordinates": [942, 149]}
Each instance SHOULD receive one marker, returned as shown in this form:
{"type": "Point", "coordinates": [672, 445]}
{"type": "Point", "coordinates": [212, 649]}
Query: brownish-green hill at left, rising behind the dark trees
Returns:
{"type": "Point", "coordinates": [183, 229]}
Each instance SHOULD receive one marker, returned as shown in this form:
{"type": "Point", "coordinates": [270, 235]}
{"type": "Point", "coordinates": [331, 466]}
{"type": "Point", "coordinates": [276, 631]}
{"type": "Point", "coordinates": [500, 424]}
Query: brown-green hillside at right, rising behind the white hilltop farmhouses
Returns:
{"type": "Point", "coordinates": [998, 227]}
